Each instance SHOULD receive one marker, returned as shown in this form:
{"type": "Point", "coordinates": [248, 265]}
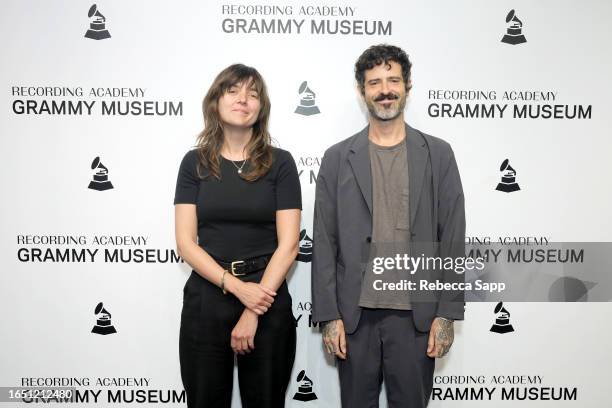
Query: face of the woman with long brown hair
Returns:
{"type": "Point", "coordinates": [239, 106]}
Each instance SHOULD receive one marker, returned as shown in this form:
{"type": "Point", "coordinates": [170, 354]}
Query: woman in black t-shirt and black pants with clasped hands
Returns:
{"type": "Point", "coordinates": [237, 214]}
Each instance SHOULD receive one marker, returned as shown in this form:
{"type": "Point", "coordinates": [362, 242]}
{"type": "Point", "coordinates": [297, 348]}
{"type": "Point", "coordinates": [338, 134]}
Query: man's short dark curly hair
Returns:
{"type": "Point", "coordinates": [382, 54]}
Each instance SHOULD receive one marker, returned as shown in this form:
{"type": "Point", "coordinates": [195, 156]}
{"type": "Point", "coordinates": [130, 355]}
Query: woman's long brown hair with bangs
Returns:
{"type": "Point", "coordinates": [210, 140]}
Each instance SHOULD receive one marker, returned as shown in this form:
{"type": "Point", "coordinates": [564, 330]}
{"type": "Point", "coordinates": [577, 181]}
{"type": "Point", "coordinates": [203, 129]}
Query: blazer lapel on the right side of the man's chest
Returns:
{"type": "Point", "coordinates": [417, 162]}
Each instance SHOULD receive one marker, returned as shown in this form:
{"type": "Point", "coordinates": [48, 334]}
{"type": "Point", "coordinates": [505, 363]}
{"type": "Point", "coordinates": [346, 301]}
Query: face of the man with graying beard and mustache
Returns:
{"type": "Point", "coordinates": [385, 91]}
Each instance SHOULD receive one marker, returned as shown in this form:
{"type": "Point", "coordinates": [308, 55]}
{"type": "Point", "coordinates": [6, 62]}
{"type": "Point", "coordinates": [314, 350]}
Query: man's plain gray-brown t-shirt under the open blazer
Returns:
{"type": "Point", "coordinates": [390, 225]}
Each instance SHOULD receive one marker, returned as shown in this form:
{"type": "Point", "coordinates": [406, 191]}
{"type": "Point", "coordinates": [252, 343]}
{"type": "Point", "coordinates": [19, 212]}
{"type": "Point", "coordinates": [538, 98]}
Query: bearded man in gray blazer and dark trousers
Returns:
{"type": "Point", "coordinates": [389, 186]}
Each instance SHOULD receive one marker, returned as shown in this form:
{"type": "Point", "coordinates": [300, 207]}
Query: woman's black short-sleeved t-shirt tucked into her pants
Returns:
{"type": "Point", "coordinates": [237, 218]}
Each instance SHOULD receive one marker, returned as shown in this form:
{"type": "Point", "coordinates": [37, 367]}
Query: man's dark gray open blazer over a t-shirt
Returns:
{"type": "Point", "coordinates": [343, 225]}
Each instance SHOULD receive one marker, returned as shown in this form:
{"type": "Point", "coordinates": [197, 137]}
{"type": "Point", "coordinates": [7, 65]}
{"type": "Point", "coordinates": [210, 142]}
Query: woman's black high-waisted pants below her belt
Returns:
{"type": "Point", "coordinates": [207, 359]}
